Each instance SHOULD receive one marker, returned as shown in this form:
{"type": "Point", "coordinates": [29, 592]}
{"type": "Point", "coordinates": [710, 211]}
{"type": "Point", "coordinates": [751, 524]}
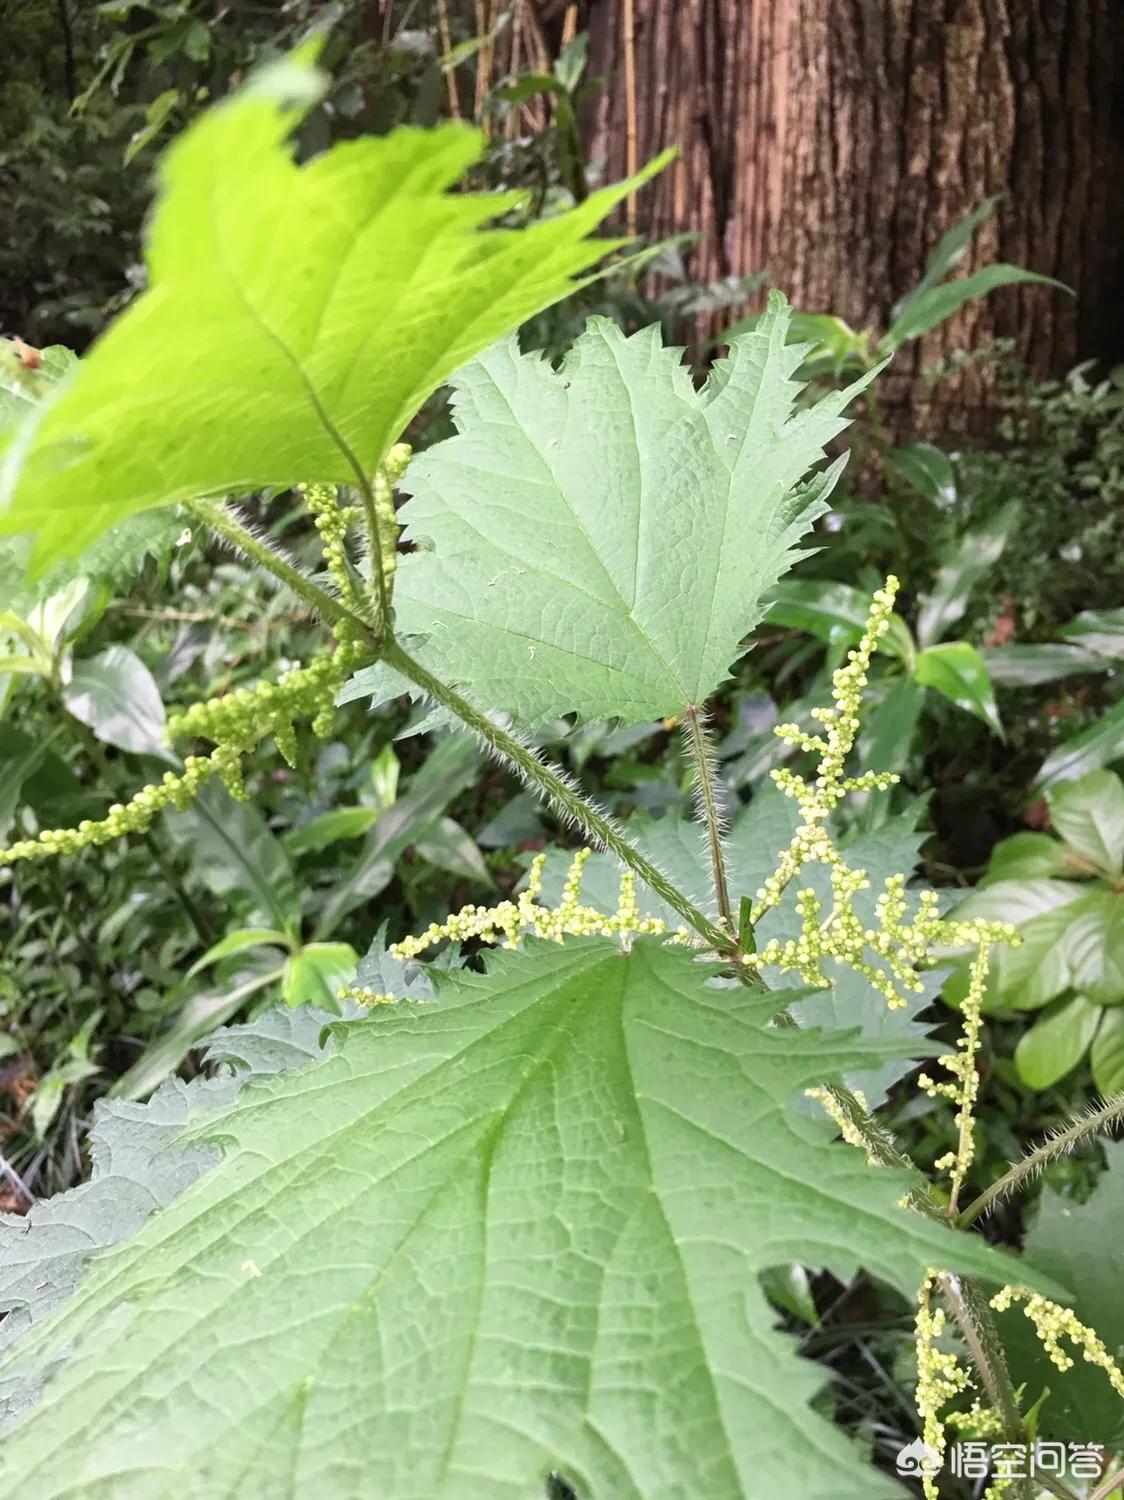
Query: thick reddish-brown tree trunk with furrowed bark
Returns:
{"type": "Point", "coordinates": [831, 143]}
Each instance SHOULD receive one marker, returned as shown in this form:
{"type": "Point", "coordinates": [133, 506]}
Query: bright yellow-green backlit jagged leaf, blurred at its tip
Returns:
{"type": "Point", "coordinates": [296, 316]}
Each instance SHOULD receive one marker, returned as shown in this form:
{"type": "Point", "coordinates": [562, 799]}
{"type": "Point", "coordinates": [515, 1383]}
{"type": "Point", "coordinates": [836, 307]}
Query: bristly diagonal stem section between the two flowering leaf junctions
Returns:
{"type": "Point", "coordinates": [554, 787]}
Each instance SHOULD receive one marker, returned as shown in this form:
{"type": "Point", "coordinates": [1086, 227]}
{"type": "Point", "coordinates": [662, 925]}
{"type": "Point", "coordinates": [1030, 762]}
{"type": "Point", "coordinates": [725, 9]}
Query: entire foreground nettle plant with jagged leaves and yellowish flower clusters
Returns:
{"type": "Point", "coordinates": [505, 1235]}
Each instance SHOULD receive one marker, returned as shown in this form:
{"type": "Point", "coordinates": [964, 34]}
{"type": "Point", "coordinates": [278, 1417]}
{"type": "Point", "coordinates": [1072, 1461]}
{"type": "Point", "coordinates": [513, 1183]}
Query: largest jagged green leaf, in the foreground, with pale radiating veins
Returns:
{"type": "Point", "coordinates": [511, 1234]}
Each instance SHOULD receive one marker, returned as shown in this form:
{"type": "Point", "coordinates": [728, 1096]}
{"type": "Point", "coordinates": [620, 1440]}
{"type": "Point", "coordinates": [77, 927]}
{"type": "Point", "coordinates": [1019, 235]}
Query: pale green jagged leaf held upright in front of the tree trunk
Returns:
{"type": "Point", "coordinates": [601, 538]}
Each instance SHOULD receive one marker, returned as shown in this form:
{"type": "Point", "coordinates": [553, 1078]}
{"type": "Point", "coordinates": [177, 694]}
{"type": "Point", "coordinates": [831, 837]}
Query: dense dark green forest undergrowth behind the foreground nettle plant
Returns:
{"type": "Point", "coordinates": [999, 701]}
